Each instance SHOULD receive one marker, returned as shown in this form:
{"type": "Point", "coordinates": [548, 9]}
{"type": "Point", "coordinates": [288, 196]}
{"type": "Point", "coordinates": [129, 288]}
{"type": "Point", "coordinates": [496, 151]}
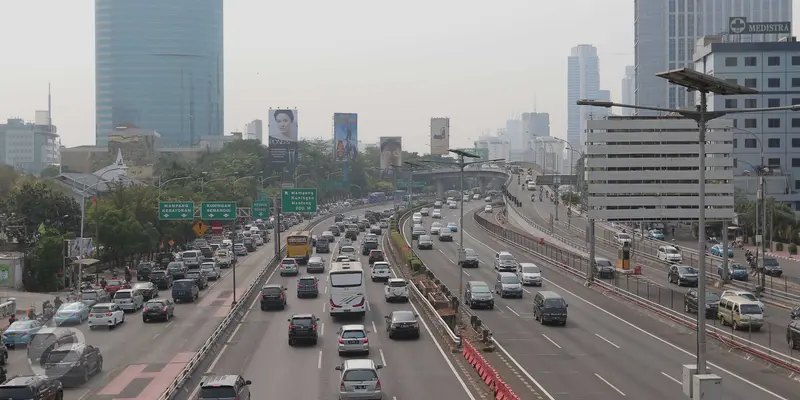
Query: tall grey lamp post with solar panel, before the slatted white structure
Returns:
{"type": "Point", "coordinates": [703, 84]}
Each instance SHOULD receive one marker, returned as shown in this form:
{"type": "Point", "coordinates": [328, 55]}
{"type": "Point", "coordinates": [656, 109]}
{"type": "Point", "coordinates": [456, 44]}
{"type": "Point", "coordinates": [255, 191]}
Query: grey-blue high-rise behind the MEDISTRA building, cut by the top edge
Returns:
{"type": "Point", "coordinates": [665, 33]}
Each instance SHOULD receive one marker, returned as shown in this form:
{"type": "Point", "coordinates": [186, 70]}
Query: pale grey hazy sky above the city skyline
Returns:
{"type": "Point", "coordinates": [395, 64]}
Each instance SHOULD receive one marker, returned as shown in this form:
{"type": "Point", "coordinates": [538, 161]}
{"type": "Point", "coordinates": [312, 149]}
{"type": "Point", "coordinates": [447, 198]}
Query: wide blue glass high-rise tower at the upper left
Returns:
{"type": "Point", "coordinates": [159, 67]}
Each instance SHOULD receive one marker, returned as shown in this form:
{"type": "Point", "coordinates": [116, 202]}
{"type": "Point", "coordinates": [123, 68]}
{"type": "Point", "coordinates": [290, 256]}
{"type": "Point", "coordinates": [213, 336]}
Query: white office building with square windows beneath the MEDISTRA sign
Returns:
{"type": "Point", "coordinates": [772, 68]}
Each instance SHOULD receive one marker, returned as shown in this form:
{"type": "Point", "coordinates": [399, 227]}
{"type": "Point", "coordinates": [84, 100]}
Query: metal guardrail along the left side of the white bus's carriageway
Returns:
{"type": "Point", "coordinates": [185, 374]}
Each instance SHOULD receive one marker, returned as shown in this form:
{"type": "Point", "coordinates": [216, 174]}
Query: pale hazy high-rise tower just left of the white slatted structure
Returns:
{"type": "Point", "coordinates": [583, 82]}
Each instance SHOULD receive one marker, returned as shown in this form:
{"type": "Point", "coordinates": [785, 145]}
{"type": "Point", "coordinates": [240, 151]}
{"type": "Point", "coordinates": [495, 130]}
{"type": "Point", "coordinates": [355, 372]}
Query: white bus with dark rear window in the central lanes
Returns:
{"type": "Point", "coordinates": [348, 290]}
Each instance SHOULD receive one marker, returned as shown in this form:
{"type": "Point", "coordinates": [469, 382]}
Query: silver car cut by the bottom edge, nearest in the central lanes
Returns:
{"type": "Point", "coordinates": [359, 380]}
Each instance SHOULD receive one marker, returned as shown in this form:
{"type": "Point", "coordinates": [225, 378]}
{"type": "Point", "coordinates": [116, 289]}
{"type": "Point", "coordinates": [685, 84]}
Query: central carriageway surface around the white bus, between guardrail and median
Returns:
{"type": "Point", "coordinates": [415, 369]}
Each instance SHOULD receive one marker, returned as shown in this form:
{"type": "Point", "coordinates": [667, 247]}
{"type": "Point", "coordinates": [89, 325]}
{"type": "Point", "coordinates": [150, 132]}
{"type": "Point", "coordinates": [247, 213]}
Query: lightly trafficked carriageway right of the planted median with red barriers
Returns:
{"type": "Point", "coordinates": [606, 350]}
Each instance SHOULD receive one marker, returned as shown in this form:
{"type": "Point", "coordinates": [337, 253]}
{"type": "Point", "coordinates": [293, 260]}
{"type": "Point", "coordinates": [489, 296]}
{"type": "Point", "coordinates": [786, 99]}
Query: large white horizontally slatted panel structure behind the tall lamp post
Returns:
{"type": "Point", "coordinates": [647, 169]}
